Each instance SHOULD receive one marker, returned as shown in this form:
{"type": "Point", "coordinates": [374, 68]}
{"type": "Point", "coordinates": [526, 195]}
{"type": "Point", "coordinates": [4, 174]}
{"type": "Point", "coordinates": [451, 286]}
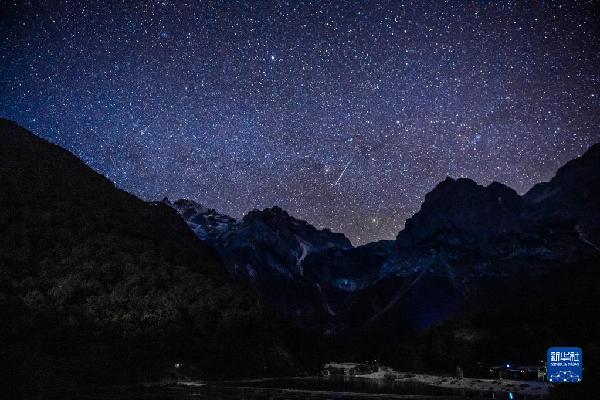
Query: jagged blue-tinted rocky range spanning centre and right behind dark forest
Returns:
{"type": "Point", "coordinates": [464, 234]}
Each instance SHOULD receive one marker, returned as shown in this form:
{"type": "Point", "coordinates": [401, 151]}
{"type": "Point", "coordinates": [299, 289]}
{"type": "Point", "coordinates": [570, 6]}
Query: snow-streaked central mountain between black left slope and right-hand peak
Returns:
{"type": "Point", "coordinates": [269, 248]}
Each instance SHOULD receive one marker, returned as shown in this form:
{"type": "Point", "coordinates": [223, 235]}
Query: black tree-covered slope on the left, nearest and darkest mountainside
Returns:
{"type": "Point", "coordinates": [98, 286]}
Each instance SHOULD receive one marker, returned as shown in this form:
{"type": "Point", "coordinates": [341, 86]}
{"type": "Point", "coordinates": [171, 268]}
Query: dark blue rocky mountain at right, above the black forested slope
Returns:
{"type": "Point", "coordinates": [488, 245]}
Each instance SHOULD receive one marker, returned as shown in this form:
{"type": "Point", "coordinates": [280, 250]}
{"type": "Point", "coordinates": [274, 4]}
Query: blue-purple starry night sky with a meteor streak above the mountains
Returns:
{"type": "Point", "coordinates": [344, 113]}
